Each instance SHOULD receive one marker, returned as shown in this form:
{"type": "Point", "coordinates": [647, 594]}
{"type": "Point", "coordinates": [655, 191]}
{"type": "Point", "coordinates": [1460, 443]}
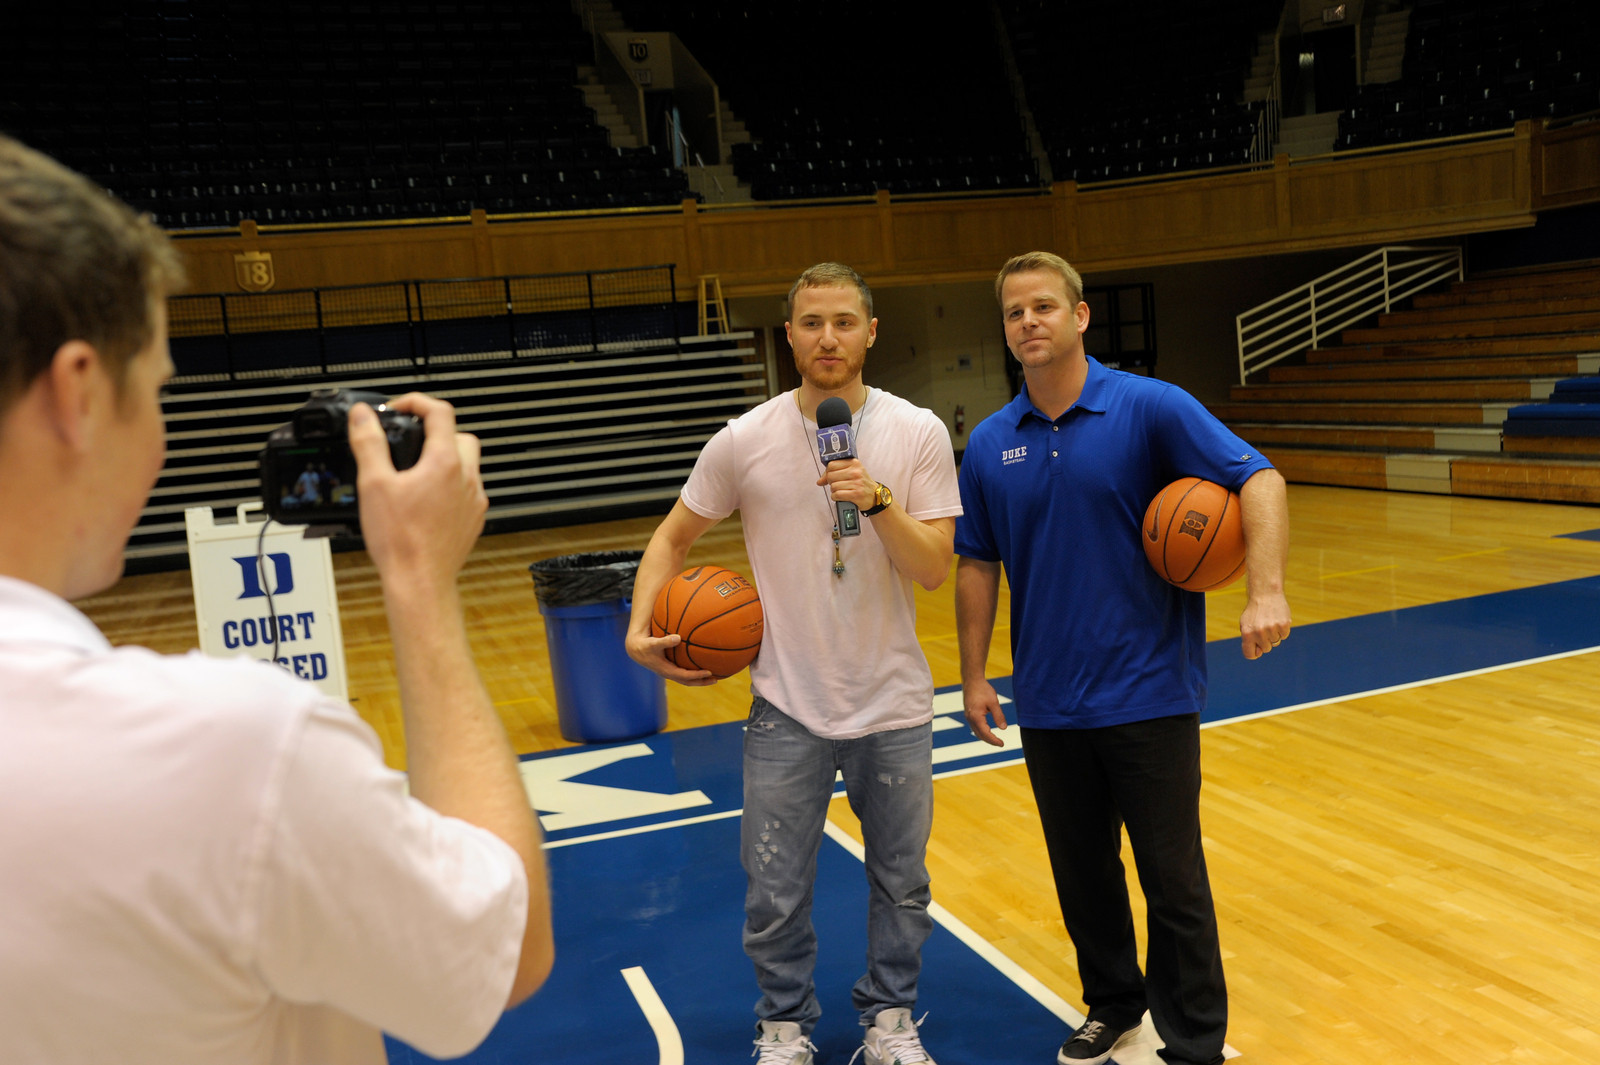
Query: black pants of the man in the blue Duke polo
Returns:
{"type": "Point", "coordinates": [1089, 784]}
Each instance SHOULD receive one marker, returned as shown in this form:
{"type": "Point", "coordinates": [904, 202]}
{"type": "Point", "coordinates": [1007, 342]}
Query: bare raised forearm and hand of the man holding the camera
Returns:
{"type": "Point", "coordinates": [420, 529]}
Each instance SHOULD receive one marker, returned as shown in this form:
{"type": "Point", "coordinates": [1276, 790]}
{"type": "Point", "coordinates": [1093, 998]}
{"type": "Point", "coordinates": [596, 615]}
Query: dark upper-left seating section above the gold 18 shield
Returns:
{"type": "Point", "coordinates": [300, 113]}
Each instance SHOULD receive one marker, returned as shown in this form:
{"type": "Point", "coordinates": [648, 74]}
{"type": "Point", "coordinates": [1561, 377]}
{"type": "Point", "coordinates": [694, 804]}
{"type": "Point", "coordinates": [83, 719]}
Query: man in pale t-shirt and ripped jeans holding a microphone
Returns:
{"type": "Point", "coordinates": [841, 684]}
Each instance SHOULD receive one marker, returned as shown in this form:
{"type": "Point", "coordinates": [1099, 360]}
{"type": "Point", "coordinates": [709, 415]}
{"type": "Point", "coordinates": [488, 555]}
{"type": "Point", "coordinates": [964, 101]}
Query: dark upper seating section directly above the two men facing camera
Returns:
{"type": "Point", "coordinates": [847, 98]}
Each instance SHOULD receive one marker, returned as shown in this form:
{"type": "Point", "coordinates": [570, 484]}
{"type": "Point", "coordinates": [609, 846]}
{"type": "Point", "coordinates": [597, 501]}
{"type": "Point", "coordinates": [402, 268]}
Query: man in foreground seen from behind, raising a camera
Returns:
{"type": "Point", "coordinates": [206, 861]}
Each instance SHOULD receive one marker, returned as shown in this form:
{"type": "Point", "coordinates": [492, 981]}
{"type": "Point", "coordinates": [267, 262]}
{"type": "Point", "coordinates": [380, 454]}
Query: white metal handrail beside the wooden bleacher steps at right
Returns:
{"type": "Point", "coordinates": [1302, 317]}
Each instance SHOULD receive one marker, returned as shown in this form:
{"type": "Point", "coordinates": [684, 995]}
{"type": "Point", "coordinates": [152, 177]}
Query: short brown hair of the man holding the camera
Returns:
{"type": "Point", "coordinates": [76, 265]}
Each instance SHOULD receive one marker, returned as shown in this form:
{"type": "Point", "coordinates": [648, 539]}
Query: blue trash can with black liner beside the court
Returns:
{"type": "Point", "coordinates": [601, 693]}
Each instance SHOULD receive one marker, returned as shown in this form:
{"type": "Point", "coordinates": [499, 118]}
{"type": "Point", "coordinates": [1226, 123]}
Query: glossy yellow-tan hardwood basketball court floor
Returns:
{"type": "Point", "coordinates": [1404, 872]}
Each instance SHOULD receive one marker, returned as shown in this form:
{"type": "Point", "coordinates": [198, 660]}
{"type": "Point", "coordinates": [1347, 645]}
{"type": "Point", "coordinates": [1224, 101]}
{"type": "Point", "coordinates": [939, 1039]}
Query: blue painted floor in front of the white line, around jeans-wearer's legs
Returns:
{"type": "Point", "coordinates": [671, 904]}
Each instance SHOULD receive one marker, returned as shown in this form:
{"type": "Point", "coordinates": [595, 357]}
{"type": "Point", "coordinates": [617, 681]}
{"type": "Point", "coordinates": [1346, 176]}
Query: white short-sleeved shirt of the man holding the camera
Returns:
{"type": "Point", "coordinates": [207, 861]}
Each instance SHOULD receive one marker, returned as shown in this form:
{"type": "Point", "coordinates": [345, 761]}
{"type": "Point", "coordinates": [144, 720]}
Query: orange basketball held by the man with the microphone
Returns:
{"type": "Point", "coordinates": [719, 616]}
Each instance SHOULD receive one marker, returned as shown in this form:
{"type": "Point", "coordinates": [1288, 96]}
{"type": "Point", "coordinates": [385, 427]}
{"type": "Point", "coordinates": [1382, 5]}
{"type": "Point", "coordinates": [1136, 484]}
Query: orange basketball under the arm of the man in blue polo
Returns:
{"type": "Point", "coordinates": [1194, 536]}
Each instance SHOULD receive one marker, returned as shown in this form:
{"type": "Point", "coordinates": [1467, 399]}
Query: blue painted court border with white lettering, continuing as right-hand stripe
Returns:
{"type": "Point", "coordinates": [644, 848]}
